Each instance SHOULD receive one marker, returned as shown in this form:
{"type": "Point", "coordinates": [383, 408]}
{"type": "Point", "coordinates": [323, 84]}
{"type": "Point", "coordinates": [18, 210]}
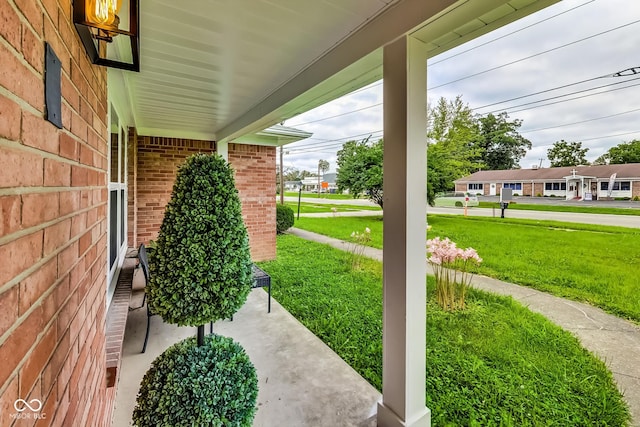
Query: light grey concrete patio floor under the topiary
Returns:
{"type": "Point", "coordinates": [302, 382]}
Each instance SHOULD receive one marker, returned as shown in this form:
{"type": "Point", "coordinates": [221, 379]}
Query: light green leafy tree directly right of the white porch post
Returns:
{"type": "Point", "coordinates": [451, 153]}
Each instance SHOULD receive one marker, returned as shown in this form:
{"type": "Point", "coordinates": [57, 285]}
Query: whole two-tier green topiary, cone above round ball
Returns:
{"type": "Point", "coordinates": [200, 273]}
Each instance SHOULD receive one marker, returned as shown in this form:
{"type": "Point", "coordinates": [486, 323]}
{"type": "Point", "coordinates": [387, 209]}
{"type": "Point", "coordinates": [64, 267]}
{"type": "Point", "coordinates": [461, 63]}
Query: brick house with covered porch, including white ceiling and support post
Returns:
{"type": "Point", "coordinates": [74, 198]}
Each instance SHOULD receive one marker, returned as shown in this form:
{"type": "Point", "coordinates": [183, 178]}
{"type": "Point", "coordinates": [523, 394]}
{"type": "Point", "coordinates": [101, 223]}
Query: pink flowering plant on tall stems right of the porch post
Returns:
{"type": "Point", "coordinates": [451, 267]}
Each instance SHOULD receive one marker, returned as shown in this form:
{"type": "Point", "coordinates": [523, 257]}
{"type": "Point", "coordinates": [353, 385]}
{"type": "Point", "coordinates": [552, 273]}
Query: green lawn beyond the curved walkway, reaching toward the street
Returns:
{"type": "Point", "coordinates": [596, 264]}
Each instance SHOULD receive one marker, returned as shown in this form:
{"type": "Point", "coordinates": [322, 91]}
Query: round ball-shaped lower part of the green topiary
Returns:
{"type": "Point", "coordinates": [190, 385]}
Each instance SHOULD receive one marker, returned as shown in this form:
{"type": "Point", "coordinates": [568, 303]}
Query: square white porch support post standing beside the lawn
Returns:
{"type": "Point", "coordinates": [405, 205]}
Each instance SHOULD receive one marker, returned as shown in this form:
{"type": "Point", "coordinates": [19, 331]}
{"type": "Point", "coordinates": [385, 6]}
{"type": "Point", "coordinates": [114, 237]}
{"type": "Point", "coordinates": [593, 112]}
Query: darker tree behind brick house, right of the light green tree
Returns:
{"type": "Point", "coordinates": [501, 145]}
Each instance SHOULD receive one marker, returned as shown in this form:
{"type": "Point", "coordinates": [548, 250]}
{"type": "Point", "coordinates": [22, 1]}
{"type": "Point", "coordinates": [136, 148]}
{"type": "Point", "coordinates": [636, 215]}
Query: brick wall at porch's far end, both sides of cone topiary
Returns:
{"type": "Point", "coordinates": [156, 164]}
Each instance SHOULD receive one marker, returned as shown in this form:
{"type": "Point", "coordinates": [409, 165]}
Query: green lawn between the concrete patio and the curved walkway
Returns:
{"type": "Point", "coordinates": [495, 363]}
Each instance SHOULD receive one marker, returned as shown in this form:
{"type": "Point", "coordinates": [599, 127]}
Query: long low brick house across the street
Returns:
{"type": "Point", "coordinates": [571, 182]}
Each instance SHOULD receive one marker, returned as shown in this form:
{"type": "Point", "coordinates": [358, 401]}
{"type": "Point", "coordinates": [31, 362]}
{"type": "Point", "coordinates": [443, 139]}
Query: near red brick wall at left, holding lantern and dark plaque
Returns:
{"type": "Point", "coordinates": [53, 203]}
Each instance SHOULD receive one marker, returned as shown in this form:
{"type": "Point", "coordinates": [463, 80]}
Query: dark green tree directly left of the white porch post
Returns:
{"type": "Point", "coordinates": [360, 169]}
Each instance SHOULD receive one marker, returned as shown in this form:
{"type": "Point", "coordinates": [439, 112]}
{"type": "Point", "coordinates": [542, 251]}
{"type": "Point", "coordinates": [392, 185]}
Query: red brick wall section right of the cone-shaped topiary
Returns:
{"type": "Point", "coordinates": [255, 168]}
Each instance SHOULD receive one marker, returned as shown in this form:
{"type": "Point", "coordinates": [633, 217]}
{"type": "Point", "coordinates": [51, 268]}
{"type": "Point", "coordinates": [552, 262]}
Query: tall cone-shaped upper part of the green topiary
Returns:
{"type": "Point", "coordinates": [201, 268]}
